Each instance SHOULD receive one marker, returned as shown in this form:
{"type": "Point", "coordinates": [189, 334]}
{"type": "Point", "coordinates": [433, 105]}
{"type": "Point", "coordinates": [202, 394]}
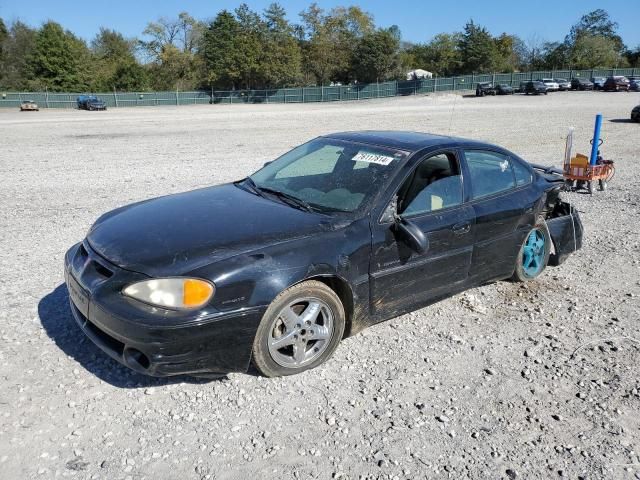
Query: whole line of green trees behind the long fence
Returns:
{"type": "Point", "coordinates": [245, 49]}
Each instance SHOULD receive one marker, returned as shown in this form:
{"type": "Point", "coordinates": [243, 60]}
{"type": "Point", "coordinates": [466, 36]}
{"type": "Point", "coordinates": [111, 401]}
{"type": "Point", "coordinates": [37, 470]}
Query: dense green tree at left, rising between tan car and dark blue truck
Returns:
{"type": "Point", "coordinates": [59, 61]}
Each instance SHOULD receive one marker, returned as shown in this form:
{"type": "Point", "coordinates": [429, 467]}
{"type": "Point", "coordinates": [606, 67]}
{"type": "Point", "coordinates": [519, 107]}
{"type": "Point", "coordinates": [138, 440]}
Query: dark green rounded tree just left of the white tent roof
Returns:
{"type": "Point", "coordinates": [376, 56]}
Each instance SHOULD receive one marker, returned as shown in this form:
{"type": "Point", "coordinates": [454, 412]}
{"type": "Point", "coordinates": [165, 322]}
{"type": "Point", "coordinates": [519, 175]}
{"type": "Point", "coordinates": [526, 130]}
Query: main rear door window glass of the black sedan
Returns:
{"type": "Point", "coordinates": [490, 172]}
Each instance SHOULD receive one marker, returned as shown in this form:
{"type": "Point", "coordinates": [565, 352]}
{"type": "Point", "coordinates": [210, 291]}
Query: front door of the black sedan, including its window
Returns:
{"type": "Point", "coordinates": [432, 198]}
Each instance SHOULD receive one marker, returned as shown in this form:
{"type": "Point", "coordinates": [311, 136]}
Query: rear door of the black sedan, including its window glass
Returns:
{"type": "Point", "coordinates": [503, 203]}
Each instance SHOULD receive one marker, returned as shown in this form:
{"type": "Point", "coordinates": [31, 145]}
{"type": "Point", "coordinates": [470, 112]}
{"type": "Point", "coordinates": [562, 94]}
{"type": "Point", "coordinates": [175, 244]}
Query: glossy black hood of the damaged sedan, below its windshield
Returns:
{"type": "Point", "coordinates": [176, 234]}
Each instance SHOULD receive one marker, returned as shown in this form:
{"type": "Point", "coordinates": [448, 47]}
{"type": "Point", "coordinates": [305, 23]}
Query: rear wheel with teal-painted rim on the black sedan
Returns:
{"type": "Point", "coordinates": [534, 253]}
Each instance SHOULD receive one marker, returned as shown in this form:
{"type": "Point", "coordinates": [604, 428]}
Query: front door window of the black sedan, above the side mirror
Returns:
{"type": "Point", "coordinates": [435, 184]}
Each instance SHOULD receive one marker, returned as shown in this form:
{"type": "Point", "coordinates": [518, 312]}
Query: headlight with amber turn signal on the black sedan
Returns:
{"type": "Point", "coordinates": [172, 292]}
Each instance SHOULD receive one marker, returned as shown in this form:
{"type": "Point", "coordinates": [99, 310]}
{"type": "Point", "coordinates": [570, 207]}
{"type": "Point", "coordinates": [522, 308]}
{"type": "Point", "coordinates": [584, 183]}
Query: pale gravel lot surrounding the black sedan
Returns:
{"type": "Point", "coordinates": [504, 381]}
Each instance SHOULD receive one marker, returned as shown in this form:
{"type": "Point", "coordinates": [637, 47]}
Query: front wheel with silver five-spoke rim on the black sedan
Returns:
{"type": "Point", "coordinates": [300, 330]}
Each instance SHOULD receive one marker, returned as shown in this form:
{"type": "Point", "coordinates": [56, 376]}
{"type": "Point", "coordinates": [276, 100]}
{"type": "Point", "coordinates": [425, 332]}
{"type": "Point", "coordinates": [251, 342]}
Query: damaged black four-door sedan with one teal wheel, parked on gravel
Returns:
{"type": "Point", "coordinates": [336, 235]}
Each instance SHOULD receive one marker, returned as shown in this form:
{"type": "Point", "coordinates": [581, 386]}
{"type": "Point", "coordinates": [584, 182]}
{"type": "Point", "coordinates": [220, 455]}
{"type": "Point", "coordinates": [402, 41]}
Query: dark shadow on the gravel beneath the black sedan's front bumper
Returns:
{"type": "Point", "coordinates": [57, 320]}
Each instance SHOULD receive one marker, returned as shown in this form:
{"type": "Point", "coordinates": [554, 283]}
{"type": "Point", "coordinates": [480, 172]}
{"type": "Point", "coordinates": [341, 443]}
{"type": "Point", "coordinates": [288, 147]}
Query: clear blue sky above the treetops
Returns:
{"type": "Point", "coordinates": [418, 20]}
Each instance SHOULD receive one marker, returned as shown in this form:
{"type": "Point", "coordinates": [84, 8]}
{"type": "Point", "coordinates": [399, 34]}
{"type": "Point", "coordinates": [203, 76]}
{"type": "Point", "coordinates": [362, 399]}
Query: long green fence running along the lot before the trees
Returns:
{"type": "Point", "coordinates": [303, 94]}
